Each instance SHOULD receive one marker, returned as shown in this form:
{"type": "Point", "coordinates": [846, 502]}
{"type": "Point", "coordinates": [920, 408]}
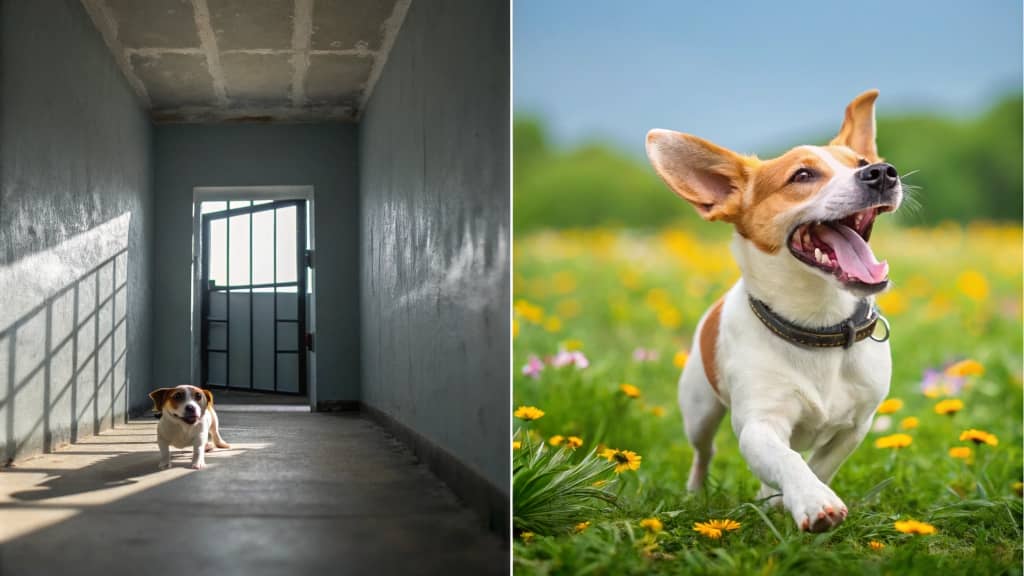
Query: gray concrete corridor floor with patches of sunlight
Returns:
{"type": "Point", "coordinates": [298, 493]}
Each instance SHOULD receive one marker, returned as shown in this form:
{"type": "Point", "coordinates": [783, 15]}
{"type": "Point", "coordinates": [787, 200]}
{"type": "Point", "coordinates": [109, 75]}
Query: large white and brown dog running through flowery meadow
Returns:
{"type": "Point", "coordinates": [791, 349]}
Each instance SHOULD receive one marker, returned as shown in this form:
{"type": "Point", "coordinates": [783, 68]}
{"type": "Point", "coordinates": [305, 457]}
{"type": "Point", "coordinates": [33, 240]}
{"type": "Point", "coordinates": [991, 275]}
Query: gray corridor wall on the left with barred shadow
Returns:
{"type": "Point", "coordinates": [75, 231]}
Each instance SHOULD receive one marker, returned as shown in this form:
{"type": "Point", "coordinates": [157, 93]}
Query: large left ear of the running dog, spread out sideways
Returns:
{"type": "Point", "coordinates": [707, 176]}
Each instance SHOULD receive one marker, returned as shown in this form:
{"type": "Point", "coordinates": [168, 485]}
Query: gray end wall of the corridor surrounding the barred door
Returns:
{"type": "Point", "coordinates": [320, 155]}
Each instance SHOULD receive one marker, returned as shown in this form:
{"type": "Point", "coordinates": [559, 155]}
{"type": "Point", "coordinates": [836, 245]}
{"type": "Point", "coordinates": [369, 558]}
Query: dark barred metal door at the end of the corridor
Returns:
{"type": "Point", "coordinates": [255, 289]}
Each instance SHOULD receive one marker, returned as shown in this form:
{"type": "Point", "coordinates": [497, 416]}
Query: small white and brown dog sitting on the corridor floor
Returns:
{"type": "Point", "coordinates": [187, 420]}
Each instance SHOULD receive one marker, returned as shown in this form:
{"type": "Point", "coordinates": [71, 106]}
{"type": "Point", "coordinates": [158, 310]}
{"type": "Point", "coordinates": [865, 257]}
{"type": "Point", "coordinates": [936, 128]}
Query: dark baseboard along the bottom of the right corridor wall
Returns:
{"type": "Point", "coordinates": [479, 493]}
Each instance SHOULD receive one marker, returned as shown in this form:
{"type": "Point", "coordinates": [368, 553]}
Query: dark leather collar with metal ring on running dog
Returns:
{"type": "Point", "coordinates": [845, 335]}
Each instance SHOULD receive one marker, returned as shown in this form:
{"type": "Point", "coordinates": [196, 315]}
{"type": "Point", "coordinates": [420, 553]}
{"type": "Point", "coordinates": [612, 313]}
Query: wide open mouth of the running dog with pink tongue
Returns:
{"type": "Point", "coordinates": [840, 248]}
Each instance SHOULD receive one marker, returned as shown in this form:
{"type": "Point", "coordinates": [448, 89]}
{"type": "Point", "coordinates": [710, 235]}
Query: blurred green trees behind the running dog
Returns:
{"type": "Point", "coordinates": [967, 170]}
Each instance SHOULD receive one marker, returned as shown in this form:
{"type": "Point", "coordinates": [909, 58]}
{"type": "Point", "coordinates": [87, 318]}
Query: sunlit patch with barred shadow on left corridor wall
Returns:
{"type": "Point", "coordinates": [63, 362]}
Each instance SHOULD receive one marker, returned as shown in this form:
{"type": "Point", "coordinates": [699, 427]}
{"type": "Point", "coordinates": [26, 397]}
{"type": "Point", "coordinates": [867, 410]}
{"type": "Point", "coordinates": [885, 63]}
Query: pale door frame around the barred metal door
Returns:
{"type": "Point", "coordinates": [215, 194]}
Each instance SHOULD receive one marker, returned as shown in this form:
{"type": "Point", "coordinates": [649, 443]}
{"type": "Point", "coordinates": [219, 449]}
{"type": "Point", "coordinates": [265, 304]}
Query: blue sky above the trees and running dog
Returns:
{"type": "Point", "coordinates": [753, 75]}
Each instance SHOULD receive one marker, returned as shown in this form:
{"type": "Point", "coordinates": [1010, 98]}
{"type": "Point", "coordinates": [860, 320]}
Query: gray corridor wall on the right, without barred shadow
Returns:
{"type": "Point", "coordinates": [435, 190]}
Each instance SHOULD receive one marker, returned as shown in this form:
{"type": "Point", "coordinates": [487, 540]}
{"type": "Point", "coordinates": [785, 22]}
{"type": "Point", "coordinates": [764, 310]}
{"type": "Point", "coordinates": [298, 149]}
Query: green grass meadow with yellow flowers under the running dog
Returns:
{"type": "Point", "coordinates": [958, 296]}
